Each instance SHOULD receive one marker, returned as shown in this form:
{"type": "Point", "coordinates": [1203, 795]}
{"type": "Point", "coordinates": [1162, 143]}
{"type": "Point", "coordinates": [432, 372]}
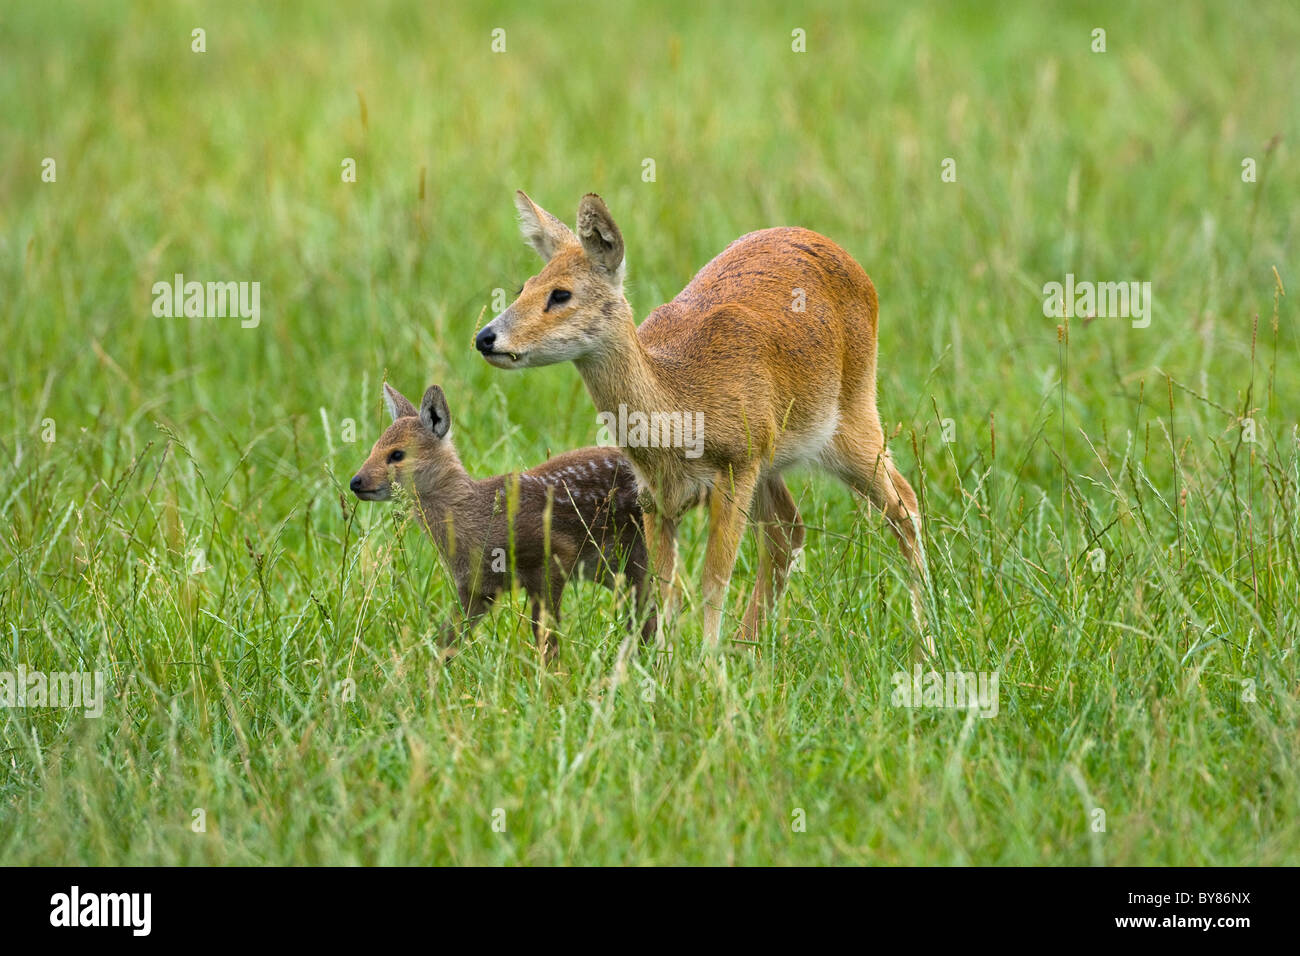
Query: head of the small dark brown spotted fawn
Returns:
{"type": "Point", "coordinates": [415, 451]}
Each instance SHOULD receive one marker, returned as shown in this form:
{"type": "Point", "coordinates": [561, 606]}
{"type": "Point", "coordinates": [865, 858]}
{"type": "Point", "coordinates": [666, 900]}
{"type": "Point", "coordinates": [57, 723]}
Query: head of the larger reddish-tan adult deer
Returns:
{"type": "Point", "coordinates": [570, 309]}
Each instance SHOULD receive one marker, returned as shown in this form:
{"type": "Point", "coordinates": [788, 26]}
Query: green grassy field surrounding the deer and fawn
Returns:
{"type": "Point", "coordinates": [1113, 511]}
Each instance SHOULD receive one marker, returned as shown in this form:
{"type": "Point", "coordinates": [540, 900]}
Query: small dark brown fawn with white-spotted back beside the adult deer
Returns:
{"type": "Point", "coordinates": [578, 514]}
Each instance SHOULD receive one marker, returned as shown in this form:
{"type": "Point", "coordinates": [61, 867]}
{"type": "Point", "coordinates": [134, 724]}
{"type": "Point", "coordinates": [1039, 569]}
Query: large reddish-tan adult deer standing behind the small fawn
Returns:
{"type": "Point", "coordinates": [774, 343]}
